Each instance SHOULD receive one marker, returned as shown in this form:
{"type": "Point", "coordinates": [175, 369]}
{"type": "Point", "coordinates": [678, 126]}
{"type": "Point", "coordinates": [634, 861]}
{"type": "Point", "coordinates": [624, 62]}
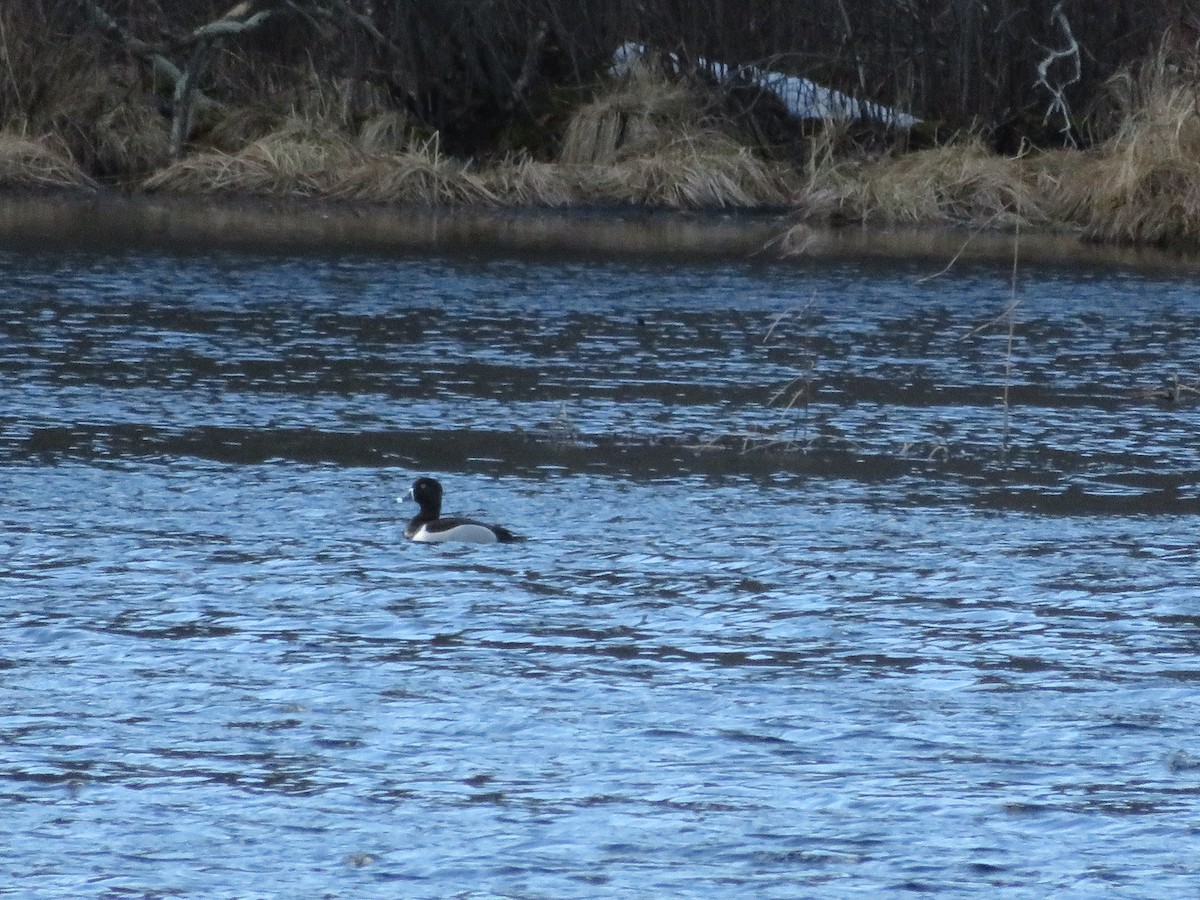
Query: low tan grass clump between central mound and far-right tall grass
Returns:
{"type": "Point", "coordinates": [958, 183]}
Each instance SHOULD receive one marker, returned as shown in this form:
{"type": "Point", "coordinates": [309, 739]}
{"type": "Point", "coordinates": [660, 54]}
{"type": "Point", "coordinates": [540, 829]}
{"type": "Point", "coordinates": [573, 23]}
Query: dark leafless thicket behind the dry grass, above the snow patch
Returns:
{"type": "Point", "coordinates": [496, 76]}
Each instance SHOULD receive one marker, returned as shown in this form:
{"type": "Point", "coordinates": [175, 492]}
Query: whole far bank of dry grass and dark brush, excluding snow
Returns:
{"type": "Point", "coordinates": [1067, 116]}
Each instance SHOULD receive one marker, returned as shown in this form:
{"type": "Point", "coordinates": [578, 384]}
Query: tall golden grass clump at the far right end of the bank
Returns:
{"type": "Point", "coordinates": [1143, 185]}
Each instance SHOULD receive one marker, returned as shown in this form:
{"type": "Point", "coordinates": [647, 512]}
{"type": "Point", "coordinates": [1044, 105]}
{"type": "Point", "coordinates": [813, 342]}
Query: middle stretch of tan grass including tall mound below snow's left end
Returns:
{"type": "Point", "coordinates": [649, 143]}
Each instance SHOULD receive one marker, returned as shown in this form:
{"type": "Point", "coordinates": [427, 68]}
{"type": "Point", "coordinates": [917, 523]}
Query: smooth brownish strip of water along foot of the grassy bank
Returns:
{"type": "Point", "coordinates": [113, 219]}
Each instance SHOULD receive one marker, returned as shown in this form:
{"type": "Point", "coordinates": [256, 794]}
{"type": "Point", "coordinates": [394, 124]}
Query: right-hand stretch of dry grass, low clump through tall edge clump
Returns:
{"type": "Point", "coordinates": [1141, 187]}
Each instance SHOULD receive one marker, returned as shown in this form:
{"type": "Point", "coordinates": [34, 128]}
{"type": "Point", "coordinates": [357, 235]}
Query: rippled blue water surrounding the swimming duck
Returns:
{"type": "Point", "coordinates": [851, 646]}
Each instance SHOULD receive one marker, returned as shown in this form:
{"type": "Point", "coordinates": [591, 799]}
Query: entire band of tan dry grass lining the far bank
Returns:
{"type": "Point", "coordinates": [647, 141]}
